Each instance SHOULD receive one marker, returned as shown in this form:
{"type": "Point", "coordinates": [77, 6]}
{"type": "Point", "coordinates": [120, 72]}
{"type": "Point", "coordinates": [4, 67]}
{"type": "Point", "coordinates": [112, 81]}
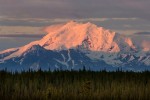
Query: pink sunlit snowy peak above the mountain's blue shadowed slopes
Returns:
{"type": "Point", "coordinates": [83, 35]}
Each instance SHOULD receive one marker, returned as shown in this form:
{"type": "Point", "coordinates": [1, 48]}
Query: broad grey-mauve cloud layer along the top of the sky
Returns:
{"type": "Point", "coordinates": [76, 8]}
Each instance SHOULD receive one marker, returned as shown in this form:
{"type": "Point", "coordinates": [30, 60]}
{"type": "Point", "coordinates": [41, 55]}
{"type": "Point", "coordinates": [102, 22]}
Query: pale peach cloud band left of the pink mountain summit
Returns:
{"type": "Point", "coordinates": [21, 31]}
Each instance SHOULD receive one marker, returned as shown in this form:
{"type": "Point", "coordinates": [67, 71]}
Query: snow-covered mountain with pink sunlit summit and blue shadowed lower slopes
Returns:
{"type": "Point", "coordinates": [74, 45]}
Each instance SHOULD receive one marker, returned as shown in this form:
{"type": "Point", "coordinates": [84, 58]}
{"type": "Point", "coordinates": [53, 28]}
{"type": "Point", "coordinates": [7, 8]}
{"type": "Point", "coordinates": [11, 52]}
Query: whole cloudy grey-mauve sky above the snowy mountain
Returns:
{"type": "Point", "coordinates": [22, 21]}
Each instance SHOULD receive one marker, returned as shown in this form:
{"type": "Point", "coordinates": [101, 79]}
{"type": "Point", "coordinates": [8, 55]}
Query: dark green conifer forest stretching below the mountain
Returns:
{"type": "Point", "coordinates": [75, 85]}
